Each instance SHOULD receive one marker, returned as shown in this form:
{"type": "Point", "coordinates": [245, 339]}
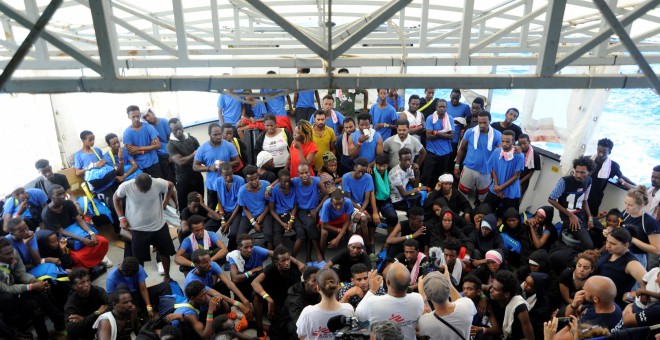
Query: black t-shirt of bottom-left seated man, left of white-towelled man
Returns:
{"type": "Point", "coordinates": [84, 307]}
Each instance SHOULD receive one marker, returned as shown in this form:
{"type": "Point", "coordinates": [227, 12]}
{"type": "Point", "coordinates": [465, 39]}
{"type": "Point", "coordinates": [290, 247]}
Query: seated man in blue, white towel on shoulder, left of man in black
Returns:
{"type": "Point", "coordinates": [246, 263]}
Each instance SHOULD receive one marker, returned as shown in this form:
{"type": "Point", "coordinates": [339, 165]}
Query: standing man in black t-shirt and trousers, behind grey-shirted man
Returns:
{"type": "Point", "coordinates": [181, 148]}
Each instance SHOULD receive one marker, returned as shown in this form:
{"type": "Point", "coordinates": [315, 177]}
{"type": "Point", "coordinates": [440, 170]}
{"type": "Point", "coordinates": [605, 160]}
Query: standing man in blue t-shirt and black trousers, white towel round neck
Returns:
{"type": "Point", "coordinates": [439, 134]}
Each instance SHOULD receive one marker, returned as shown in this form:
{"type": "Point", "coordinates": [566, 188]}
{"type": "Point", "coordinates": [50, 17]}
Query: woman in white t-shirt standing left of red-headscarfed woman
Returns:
{"type": "Point", "coordinates": [274, 140]}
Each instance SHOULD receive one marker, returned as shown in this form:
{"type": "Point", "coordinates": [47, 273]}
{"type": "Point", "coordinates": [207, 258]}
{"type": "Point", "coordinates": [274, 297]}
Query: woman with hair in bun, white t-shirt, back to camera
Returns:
{"type": "Point", "coordinates": [313, 321]}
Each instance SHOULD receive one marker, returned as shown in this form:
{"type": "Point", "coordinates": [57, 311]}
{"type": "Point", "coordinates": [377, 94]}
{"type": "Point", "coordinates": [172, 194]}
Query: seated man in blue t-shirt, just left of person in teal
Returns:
{"type": "Point", "coordinates": [359, 187]}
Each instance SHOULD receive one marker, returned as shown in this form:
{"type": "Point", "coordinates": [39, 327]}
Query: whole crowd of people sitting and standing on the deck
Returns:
{"type": "Point", "coordinates": [464, 262]}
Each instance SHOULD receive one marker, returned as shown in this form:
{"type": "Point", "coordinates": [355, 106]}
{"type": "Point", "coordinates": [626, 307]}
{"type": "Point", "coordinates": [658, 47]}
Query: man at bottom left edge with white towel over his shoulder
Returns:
{"type": "Point", "coordinates": [120, 321]}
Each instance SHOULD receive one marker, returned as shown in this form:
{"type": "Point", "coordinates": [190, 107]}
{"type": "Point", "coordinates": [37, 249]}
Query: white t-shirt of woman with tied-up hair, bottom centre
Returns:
{"type": "Point", "coordinates": [313, 322]}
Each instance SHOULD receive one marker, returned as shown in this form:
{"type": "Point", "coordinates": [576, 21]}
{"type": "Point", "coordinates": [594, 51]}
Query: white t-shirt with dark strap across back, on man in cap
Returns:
{"type": "Point", "coordinates": [461, 319]}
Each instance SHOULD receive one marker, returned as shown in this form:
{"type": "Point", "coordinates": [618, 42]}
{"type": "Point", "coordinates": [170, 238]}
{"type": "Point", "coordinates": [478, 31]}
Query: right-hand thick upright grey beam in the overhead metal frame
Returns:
{"type": "Point", "coordinates": [554, 23]}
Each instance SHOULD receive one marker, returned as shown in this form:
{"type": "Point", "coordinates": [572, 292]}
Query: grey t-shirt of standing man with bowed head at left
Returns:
{"type": "Point", "coordinates": [144, 210]}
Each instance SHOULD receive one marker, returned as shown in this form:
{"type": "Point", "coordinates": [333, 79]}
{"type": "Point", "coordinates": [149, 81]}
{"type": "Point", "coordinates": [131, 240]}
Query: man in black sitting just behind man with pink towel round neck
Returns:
{"type": "Point", "coordinates": [412, 228]}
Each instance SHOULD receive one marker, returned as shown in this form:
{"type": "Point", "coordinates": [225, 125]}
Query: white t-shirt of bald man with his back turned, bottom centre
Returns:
{"type": "Point", "coordinates": [404, 310]}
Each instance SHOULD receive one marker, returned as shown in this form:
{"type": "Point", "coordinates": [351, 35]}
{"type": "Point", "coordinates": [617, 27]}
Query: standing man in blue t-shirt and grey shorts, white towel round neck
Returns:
{"type": "Point", "coordinates": [477, 146]}
